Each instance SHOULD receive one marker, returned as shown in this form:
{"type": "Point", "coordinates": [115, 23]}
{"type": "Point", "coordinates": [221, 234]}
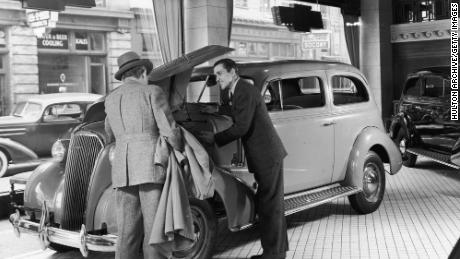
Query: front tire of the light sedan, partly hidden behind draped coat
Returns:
{"type": "Point", "coordinates": [205, 224]}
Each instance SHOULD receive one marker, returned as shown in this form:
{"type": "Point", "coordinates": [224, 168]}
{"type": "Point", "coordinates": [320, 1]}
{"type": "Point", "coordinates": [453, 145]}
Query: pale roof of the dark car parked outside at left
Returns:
{"type": "Point", "coordinates": [47, 99]}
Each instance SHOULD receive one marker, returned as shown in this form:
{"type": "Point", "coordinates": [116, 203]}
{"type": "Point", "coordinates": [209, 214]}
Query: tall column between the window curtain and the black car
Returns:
{"type": "Point", "coordinates": [376, 58]}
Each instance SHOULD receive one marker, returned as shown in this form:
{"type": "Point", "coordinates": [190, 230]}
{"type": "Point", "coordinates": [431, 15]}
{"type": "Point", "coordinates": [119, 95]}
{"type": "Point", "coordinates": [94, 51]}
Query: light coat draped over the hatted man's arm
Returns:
{"type": "Point", "coordinates": [187, 173]}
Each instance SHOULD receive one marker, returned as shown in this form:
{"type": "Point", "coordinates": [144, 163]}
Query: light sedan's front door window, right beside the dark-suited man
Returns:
{"type": "Point", "coordinates": [294, 93]}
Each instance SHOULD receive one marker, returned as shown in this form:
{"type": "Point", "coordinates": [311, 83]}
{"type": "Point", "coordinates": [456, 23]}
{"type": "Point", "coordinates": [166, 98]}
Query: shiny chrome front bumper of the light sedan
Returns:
{"type": "Point", "coordinates": [47, 234]}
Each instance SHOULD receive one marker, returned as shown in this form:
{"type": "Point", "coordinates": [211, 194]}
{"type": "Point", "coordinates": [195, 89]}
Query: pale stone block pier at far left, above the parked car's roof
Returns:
{"type": "Point", "coordinates": [23, 63]}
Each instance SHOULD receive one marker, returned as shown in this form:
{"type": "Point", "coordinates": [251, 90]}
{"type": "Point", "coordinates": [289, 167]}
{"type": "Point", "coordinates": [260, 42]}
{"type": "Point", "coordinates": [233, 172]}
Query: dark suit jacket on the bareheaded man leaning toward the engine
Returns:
{"type": "Point", "coordinates": [251, 123]}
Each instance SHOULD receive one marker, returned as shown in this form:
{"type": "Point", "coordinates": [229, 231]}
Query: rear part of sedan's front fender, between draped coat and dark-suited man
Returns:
{"type": "Point", "coordinates": [237, 197]}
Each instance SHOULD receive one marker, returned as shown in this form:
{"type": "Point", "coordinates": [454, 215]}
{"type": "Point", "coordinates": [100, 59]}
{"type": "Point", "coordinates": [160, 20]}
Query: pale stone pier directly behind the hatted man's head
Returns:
{"type": "Point", "coordinates": [118, 43]}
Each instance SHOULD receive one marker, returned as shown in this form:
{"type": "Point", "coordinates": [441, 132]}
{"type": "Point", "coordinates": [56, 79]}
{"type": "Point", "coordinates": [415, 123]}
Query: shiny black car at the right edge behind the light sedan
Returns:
{"type": "Point", "coordinates": [422, 124]}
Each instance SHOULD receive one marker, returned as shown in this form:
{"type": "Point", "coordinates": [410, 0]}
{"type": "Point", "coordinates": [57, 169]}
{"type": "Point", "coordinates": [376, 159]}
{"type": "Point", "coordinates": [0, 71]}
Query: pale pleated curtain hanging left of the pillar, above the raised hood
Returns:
{"type": "Point", "coordinates": [169, 24]}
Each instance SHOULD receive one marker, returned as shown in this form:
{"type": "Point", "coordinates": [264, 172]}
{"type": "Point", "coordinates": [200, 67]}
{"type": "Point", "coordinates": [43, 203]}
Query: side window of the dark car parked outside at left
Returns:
{"type": "Point", "coordinates": [66, 111]}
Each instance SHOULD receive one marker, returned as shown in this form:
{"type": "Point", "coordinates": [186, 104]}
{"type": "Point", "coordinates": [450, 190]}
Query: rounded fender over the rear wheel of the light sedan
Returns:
{"type": "Point", "coordinates": [371, 138]}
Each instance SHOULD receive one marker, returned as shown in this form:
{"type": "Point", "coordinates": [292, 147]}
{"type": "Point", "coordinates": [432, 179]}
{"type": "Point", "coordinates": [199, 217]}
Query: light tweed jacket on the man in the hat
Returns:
{"type": "Point", "coordinates": [137, 115]}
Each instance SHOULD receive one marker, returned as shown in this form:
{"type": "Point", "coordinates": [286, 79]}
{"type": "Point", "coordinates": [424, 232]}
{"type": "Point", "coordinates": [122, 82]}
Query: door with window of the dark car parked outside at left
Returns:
{"type": "Point", "coordinates": [56, 121]}
